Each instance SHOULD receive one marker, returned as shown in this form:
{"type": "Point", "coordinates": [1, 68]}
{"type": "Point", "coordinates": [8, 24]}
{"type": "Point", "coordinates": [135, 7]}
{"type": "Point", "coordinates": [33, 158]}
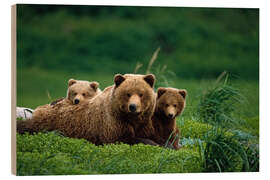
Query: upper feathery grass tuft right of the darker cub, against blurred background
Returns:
{"type": "Point", "coordinates": [218, 103]}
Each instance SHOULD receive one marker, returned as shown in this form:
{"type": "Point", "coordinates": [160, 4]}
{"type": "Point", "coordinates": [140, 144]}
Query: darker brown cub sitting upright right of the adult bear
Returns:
{"type": "Point", "coordinates": [170, 103]}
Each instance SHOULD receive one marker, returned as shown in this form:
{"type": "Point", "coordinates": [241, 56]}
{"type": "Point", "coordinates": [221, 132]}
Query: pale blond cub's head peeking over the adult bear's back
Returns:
{"type": "Point", "coordinates": [78, 90]}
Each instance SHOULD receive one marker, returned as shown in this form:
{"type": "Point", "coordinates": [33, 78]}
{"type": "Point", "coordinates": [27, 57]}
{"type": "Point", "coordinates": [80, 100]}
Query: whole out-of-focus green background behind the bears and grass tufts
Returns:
{"type": "Point", "coordinates": [56, 43]}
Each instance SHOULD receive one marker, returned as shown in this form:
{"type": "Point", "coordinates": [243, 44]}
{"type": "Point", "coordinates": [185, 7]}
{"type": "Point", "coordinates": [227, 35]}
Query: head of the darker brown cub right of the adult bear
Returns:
{"type": "Point", "coordinates": [170, 101]}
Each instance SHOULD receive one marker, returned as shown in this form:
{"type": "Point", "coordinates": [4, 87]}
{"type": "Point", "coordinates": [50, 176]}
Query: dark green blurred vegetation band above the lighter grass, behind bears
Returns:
{"type": "Point", "coordinates": [195, 43]}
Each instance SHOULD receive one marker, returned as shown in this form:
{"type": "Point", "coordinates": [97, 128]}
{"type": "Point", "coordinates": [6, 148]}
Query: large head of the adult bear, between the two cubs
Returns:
{"type": "Point", "coordinates": [134, 94]}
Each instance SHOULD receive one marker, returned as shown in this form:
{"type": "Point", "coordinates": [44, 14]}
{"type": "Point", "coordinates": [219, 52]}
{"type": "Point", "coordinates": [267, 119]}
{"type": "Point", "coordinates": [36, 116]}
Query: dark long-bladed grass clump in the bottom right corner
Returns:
{"type": "Point", "coordinates": [237, 152]}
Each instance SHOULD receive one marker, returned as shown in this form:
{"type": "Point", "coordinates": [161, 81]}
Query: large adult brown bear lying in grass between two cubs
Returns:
{"type": "Point", "coordinates": [122, 112]}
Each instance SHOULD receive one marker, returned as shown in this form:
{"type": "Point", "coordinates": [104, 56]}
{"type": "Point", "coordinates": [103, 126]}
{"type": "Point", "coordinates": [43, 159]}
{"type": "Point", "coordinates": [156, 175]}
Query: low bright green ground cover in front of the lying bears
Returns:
{"type": "Point", "coordinates": [50, 153]}
